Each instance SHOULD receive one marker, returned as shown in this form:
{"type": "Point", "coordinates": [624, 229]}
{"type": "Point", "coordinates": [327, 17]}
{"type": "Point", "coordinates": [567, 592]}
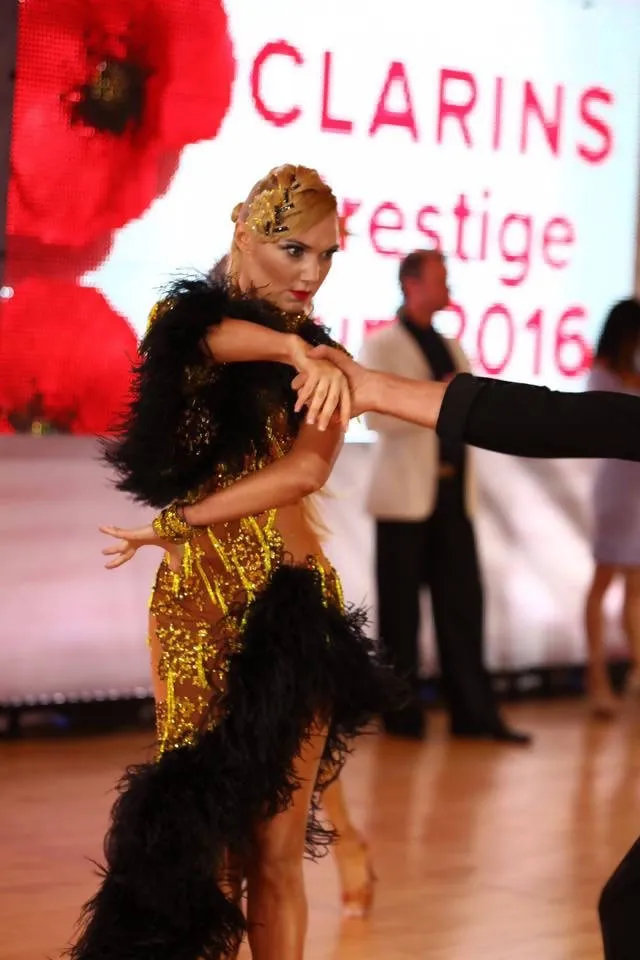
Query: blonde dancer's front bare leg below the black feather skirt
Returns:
{"type": "Point", "coordinates": [277, 904]}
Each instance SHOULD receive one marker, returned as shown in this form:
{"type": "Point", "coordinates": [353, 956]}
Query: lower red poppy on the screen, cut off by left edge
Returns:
{"type": "Point", "coordinates": [65, 359]}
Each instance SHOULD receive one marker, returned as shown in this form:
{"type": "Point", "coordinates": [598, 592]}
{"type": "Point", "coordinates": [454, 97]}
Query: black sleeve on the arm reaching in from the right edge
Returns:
{"type": "Point", "coordinates": [529, 421]}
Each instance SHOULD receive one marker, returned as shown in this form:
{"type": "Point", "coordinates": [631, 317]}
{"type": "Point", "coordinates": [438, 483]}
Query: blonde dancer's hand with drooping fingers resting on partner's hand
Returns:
{"type": "Point", "coordinates": [325, 389]}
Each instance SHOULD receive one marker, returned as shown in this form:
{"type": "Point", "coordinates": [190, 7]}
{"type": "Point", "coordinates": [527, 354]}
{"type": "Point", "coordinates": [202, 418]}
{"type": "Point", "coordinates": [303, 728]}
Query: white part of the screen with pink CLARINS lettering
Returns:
{"type": "Point", "coordinates": [505, 132]}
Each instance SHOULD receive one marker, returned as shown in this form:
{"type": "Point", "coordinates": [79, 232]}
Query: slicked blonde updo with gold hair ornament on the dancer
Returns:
{"type": "Point", "coordinates": [289, 200]}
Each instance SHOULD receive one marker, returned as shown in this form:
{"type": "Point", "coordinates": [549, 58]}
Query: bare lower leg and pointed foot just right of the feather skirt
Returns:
{"type": "Point", "coordinates": [352, 855]}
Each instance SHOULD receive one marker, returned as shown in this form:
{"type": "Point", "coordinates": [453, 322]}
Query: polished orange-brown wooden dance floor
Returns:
{"type": "Point", "coordinates": [483, 852]}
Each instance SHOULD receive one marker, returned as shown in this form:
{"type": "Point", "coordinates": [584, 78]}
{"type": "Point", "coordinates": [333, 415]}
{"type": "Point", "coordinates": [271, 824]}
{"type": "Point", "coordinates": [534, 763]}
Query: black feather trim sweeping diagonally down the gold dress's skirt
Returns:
{"type": "Point", "coordinates": [177, 819]}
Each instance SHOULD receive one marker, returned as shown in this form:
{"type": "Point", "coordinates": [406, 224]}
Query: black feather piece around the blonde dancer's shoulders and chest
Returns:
{"type": "Point", "coordinates": [189, 416]}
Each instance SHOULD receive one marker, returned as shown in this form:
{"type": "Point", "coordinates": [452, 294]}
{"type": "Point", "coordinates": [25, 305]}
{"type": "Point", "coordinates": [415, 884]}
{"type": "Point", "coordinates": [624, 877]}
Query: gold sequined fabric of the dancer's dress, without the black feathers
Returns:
{"type": "Point", "coordinates": [198, 614]}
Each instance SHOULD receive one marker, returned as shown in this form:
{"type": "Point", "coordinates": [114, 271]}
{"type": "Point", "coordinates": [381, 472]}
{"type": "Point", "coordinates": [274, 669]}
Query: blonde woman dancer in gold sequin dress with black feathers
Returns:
{"type": "Point", "coordinates": [262, 677]}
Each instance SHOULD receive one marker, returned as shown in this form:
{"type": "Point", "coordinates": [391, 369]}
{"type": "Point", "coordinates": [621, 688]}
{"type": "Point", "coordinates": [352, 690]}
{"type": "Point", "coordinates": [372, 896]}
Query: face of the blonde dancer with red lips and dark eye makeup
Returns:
{"type": "Point", "coordinates": [290, 271]}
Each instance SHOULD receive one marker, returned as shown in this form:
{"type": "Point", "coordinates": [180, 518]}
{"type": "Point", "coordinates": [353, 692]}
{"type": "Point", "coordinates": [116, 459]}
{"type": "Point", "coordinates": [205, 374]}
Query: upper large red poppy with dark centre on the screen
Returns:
{"type": "Point", "coordinates": [108, 92]}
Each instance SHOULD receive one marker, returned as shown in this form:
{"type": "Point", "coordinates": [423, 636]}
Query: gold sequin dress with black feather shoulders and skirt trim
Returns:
{"type": "Point", "coordinates": [251, 644]}
